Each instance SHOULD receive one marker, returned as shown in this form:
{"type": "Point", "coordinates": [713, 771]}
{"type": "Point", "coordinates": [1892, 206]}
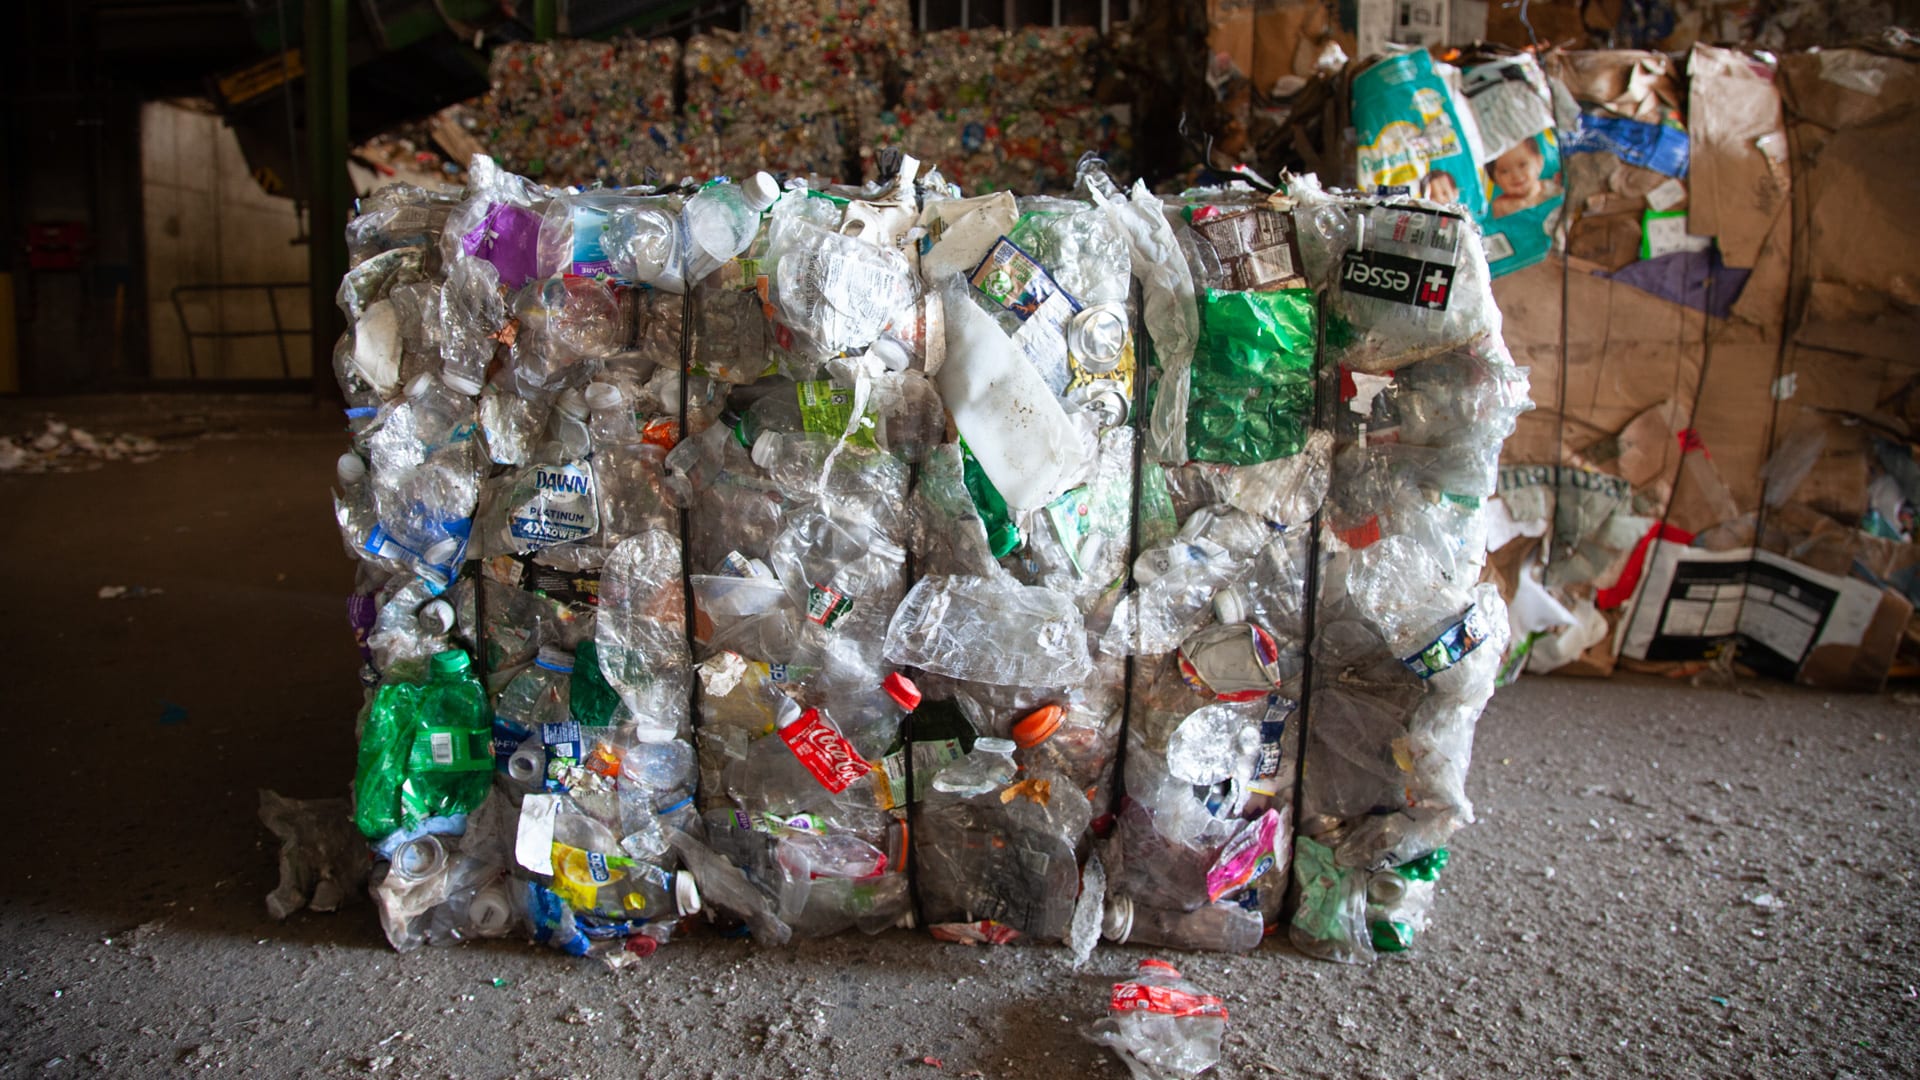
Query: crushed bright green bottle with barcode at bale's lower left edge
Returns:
{"type": "Point", "coordinates": [427, 750]}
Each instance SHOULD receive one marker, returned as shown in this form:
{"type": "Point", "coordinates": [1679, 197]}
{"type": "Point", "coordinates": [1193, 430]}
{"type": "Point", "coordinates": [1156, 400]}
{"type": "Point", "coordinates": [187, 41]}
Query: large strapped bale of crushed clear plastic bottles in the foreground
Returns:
{"type": "Point", "coordinates": [807, 560]}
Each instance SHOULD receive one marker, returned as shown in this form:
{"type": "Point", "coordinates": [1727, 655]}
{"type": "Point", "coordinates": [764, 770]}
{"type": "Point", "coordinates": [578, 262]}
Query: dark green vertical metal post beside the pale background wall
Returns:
{"type": "Point", "coordinates": [329, 191]}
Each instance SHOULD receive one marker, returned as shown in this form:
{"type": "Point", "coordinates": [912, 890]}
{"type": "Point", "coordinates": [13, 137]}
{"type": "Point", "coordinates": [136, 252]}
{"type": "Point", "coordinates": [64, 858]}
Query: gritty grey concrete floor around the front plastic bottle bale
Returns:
{"type": "Point", "coordinates": [1666, 881]}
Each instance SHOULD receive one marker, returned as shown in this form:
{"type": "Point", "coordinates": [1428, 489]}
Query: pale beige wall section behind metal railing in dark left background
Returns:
{"type": "Point", "coordinates": [210, 224]}
